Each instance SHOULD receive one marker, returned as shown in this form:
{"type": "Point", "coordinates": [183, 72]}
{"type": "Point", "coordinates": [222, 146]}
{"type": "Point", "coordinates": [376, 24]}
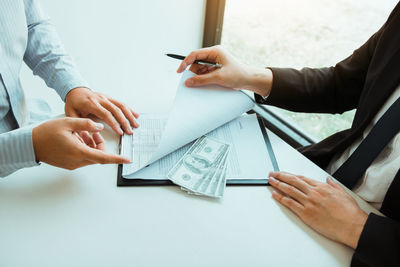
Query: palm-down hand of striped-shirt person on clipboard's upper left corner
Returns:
{"type": "Point", "coordinates": [80, 102]}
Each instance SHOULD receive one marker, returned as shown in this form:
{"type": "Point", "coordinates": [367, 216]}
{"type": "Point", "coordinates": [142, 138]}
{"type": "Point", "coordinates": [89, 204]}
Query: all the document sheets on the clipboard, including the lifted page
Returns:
{"type": "Point", "coordinates": [196, 112]}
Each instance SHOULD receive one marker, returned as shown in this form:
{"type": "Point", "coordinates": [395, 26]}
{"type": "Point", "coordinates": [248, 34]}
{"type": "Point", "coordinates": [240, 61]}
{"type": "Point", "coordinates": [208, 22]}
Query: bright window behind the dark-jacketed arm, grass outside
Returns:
{"type": "Point", "coordinates": [292, 33]}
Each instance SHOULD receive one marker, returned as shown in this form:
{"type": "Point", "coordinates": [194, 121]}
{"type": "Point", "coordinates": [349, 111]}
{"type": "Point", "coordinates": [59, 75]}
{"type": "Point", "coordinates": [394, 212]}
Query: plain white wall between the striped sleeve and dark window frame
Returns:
{"type": "Point", "coordinates": [119, 46]}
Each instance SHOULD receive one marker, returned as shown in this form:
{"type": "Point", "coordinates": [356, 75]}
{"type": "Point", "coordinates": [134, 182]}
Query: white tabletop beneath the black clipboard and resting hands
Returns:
{"type": "Point", "coordinates": [54, 217]}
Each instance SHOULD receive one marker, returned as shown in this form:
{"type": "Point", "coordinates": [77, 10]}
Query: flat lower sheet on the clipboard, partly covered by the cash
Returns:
{"type": "Point", "coordinates": [248, 156]}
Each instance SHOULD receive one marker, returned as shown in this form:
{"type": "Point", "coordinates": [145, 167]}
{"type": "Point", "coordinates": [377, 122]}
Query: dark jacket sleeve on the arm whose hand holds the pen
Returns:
{"type": "Point", "coordinates": [326, 90]}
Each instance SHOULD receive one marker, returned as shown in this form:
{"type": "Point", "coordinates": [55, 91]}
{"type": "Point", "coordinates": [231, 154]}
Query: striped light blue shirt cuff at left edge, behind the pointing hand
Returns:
{"type": "Point", "coordinates": [16, 151]}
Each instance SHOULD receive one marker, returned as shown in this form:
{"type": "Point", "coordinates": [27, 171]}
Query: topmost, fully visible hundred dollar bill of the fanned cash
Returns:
{"type": "Point", "coordinates": [198, 164]}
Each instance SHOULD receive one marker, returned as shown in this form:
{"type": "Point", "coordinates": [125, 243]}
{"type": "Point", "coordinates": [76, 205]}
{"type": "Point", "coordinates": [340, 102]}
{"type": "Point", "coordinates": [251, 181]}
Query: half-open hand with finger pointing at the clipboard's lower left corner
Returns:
{"type": "Point", "coordinates": [57, 143]}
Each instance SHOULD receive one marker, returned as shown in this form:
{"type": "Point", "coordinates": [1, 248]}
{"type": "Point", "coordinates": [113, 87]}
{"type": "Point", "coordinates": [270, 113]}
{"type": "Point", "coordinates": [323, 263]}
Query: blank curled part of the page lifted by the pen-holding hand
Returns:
{"type": "Point", "coordinates": [195, 111]}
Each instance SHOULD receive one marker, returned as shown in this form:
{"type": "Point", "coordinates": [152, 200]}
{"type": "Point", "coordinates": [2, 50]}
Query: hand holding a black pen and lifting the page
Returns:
{"type": "Point", "coordinates": [233, 74]}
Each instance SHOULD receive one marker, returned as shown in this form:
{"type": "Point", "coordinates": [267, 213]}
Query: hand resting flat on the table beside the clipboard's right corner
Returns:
{"type": "Point", "coordinates": [326, 208]}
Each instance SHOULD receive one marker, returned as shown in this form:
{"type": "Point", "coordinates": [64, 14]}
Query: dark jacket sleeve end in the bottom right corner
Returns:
{"type": "Point", "coordinates": [379, 243]}
